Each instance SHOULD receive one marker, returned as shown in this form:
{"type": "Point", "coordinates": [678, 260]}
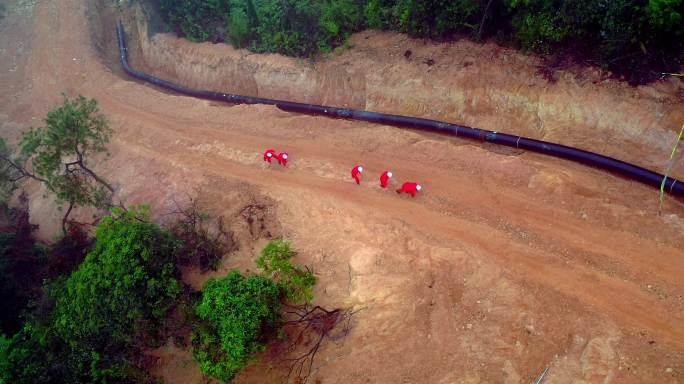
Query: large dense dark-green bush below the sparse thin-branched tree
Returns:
{"type": "Point", "coordinates": [125, 285]}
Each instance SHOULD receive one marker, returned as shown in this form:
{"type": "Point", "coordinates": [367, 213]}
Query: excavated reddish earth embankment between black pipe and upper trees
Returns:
{"type": "Point", "coordinates": [503, 93]}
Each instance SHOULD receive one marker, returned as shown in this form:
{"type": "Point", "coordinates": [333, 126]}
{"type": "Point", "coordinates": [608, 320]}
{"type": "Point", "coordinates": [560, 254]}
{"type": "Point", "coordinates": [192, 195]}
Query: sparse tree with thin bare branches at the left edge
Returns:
{"type": "Point", "coordinates": [57, 155]}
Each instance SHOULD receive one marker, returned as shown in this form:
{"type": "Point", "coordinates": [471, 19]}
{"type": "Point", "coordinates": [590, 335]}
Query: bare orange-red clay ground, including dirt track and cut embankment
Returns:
{"type": "Point", "coordinates": [505, 263]}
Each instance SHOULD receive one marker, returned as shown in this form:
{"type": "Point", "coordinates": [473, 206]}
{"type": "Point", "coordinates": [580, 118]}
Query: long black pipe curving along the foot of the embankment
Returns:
{"type": "Point", "coordinates": [672, 185]}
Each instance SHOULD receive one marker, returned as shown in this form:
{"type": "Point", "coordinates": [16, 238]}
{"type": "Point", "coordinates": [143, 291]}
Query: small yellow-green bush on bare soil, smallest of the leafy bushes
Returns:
{"type": "Point", "coordinates": [295, 282]}
